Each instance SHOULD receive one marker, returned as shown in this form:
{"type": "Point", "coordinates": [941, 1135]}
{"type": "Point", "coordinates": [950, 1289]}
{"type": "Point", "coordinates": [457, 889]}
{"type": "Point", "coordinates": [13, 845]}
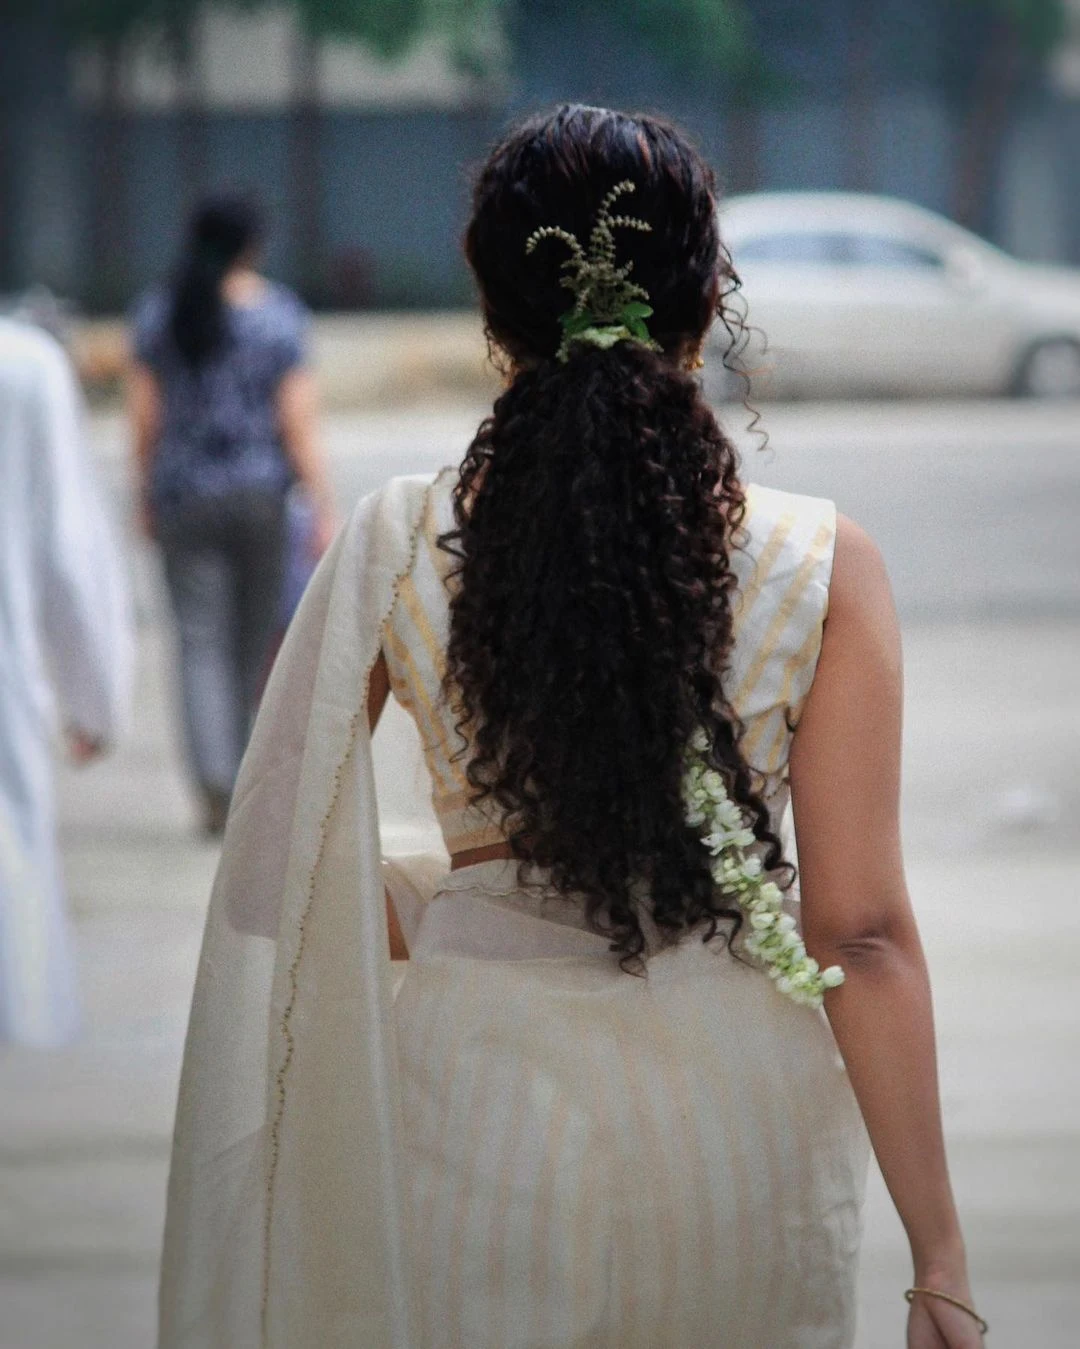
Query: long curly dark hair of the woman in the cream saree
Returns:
{"type": "Point", "coordinates": [591, 600]}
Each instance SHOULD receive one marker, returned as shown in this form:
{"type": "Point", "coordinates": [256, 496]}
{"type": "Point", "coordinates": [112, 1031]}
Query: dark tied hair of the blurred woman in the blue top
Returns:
{"type": "Point", "coordinates": [222, 233]}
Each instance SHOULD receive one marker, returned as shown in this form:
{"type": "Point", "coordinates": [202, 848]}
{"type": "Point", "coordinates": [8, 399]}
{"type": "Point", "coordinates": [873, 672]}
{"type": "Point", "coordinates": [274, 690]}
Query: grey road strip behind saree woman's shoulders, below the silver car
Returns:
{"type": "Point", "coordinates": [974, 505]}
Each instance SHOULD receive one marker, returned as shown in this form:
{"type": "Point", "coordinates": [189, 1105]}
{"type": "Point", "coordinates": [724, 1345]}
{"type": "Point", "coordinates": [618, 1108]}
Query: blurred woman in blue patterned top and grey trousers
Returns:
{"type": "Point", "coordinates": [223, 413]}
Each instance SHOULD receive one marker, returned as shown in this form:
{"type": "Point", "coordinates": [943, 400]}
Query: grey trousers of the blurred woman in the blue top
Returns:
{"type": "Point", "coordinates": [224, 567]}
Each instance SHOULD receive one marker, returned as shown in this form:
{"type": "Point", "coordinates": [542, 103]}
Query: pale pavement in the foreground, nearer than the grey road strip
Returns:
{"type": "Point", "coordinates": [992, 820]}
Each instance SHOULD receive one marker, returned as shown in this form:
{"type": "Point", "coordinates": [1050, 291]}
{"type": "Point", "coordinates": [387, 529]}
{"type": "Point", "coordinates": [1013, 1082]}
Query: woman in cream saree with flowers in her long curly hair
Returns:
{"type": "Point", "coordinates": [605, 1107]}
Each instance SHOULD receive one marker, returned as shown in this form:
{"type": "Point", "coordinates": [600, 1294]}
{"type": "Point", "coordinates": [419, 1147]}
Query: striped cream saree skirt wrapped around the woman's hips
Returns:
{"type": "Point", "coordinates": [660, 1162]}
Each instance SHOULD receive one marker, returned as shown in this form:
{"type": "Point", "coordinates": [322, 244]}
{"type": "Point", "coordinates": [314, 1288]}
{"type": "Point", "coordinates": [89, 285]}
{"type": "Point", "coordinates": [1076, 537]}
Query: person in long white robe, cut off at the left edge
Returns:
{"type": "Point", "coordinates": [65, 648]}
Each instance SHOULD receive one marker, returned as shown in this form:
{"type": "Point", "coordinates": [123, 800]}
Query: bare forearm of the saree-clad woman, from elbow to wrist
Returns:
{"type": "Point", "coordinates": [884, 1026]}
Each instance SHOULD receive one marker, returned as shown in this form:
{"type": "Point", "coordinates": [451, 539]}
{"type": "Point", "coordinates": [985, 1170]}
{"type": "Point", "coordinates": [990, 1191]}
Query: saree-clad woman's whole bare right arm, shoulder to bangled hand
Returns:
{"type": "Point", "coordinates": [857, 913]}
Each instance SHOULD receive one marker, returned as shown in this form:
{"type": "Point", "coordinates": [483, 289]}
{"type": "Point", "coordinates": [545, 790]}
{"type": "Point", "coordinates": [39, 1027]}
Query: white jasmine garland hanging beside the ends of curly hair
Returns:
{"type": "Point", "coordinates": [773, 937]}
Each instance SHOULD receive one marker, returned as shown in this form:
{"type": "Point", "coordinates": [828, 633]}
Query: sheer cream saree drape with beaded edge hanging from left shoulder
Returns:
{"type": "Point", "coordinates": [285, 1223]}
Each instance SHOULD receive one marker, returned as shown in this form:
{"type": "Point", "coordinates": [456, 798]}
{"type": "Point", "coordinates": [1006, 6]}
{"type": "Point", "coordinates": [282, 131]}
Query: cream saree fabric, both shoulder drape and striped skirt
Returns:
{"type": "Point", "coordinates": [528, 1149]}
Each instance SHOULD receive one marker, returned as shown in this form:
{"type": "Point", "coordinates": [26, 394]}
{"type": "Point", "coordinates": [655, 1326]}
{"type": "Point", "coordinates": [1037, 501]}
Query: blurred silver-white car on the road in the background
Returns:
{"type": "Point", "coordinates": [858, 295]}
